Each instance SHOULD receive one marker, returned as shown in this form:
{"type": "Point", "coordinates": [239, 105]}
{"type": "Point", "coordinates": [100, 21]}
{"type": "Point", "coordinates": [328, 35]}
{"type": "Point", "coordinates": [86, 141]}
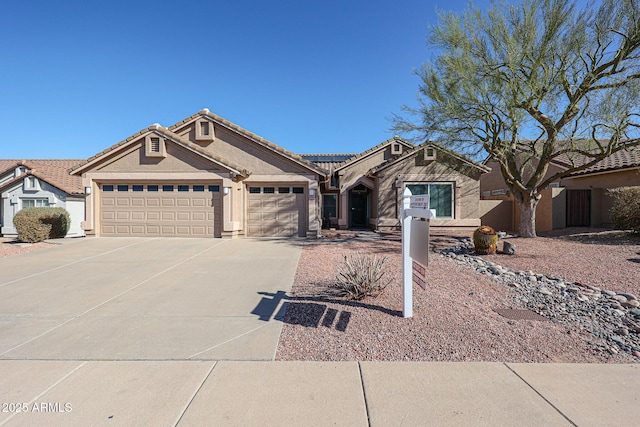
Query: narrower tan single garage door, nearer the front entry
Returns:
{"type": "Point", "coordinates": [276, 211]}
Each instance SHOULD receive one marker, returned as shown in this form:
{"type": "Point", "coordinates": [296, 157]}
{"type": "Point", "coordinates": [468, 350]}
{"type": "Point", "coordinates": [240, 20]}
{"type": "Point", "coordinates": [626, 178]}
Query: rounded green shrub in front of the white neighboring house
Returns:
{"type": "Point", "coordinates": [38, 224]}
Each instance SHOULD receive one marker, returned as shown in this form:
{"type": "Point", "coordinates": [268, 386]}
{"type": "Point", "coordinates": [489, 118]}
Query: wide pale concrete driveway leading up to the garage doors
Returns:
{"type": "Point", "coordinates": [146, 299]}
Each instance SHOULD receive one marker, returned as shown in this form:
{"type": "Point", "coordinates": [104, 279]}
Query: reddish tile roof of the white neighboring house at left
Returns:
{"type": "Point", "coordinates": [54, 172]}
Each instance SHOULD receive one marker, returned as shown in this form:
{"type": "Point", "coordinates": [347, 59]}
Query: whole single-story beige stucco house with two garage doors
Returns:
{"type": "Point", "coordinates": [207, 177]}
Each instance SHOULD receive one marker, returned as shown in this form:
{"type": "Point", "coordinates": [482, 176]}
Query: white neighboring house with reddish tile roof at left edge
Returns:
{"type": "Point", "coordinates": [38, 183]}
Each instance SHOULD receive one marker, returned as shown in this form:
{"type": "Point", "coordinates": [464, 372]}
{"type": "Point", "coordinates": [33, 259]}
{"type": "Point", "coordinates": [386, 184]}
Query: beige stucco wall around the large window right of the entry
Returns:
{"type": "Point", "coordinates": [466, 212]}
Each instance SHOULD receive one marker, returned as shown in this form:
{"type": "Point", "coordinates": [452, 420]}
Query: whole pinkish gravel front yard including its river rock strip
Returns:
{"type": "Point", "coordinates": [454, 318]}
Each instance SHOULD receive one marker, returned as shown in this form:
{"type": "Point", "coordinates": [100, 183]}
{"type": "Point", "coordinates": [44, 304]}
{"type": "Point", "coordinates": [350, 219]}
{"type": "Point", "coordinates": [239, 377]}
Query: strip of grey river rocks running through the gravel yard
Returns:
{"type": "Point", "coordinates": [613, 319]}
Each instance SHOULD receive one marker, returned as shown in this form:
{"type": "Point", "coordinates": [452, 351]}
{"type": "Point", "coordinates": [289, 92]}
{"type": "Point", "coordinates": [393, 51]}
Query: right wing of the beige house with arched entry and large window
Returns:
{"type": "Point", "coordinates": [365, 191]}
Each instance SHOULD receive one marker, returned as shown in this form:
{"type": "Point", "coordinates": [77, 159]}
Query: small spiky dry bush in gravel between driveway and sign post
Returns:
{"type": "Point", "coordinates": [360, 276]}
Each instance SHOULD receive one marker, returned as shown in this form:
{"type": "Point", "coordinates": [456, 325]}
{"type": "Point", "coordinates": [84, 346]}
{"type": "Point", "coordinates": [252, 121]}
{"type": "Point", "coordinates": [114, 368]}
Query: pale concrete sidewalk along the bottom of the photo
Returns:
{"type": "Point", "coordinates": [245, 393]}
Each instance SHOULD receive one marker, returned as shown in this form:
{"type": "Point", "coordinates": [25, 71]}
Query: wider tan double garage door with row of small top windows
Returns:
{"type": "Point", "coordinates": [180, 210]}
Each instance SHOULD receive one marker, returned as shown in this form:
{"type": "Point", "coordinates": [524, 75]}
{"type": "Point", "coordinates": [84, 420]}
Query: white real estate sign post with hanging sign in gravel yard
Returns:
{"type": "Point", "coordinates": [415, 246]}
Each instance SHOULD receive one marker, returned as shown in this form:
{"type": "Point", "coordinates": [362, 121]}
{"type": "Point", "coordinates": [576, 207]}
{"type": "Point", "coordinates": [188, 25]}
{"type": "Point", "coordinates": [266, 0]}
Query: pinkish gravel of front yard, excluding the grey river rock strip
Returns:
{"type": "Point", "coordinates": [454, 319]}
